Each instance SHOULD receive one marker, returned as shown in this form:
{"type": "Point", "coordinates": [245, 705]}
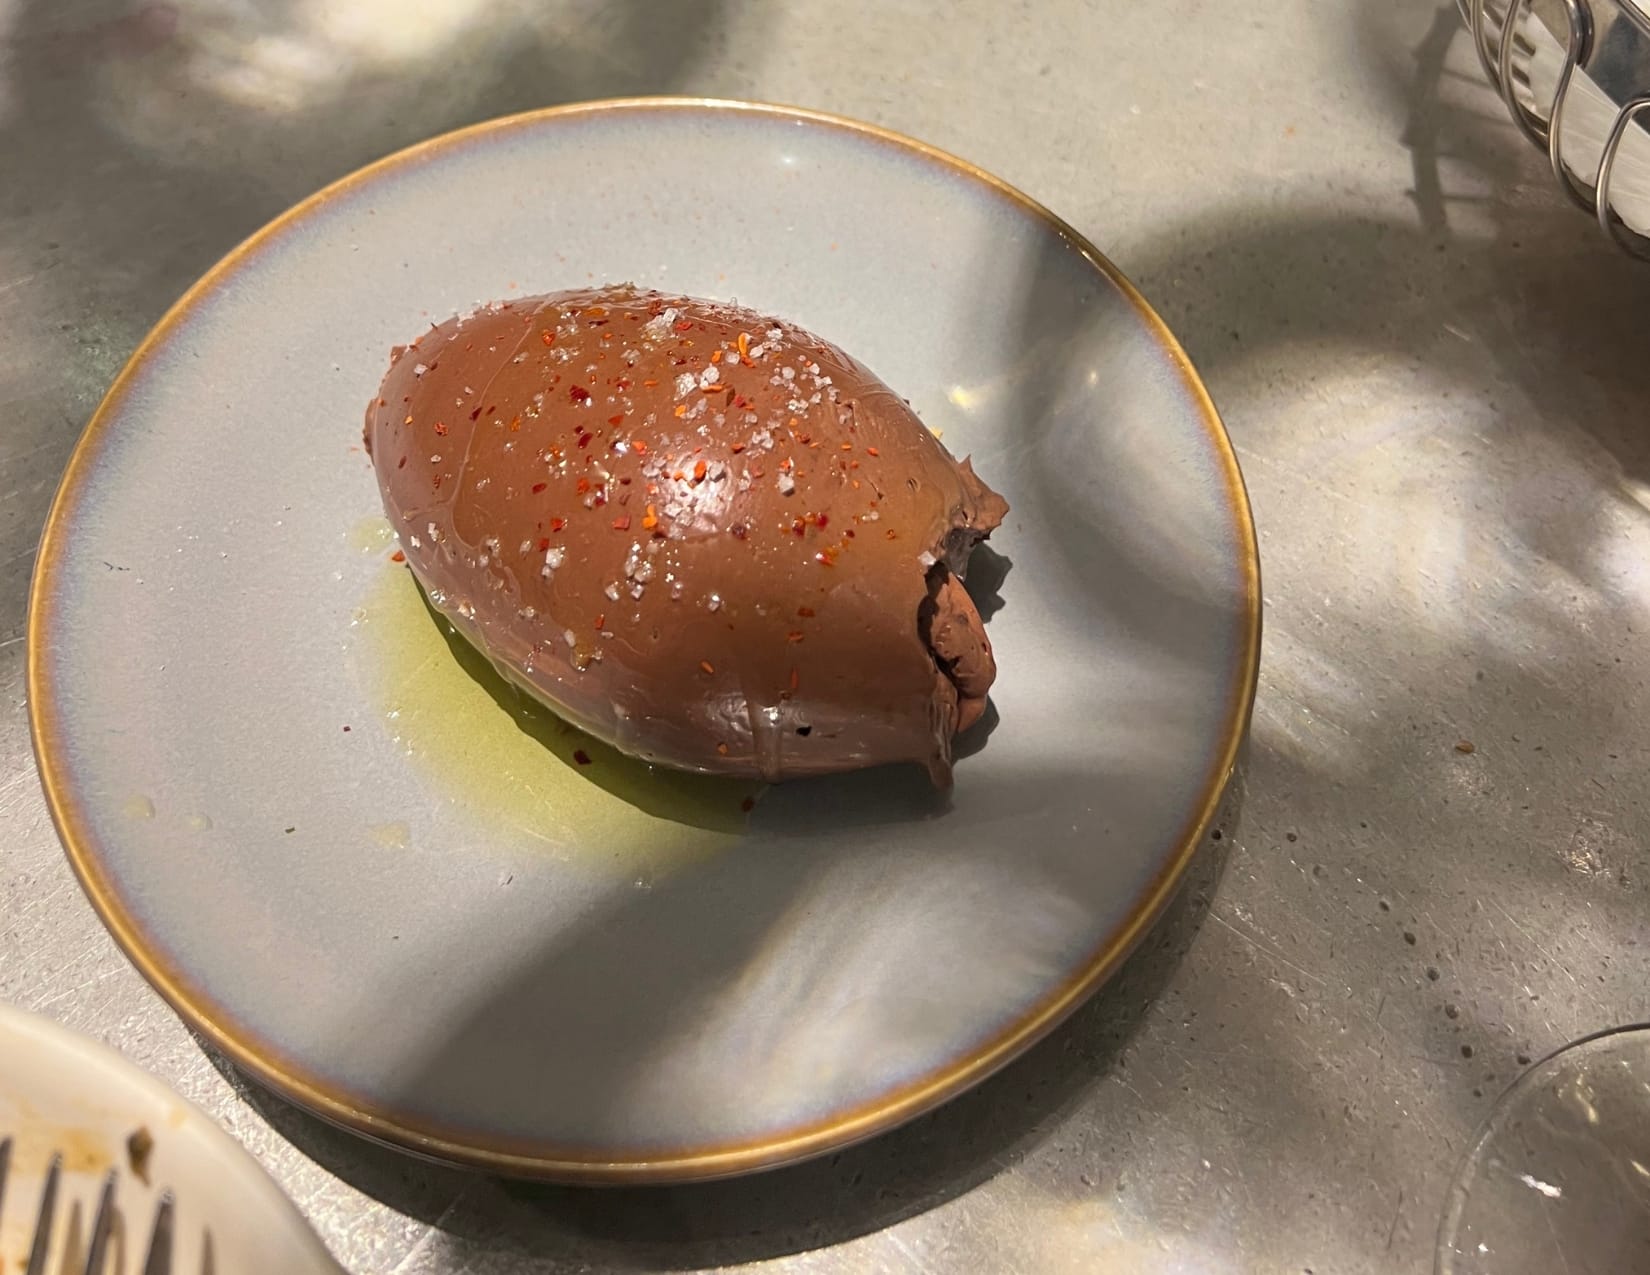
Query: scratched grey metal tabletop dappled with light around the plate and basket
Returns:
{"type": "Point", "coordinates": [1435, 865]}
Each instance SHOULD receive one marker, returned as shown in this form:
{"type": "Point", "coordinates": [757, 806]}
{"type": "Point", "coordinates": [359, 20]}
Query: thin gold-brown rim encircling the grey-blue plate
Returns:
{"type": "Point", "coordinates": [265, 1063]}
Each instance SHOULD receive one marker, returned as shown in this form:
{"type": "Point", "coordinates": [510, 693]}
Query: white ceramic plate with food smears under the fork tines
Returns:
{"type": "Point", "coordinates": [67, 1096]}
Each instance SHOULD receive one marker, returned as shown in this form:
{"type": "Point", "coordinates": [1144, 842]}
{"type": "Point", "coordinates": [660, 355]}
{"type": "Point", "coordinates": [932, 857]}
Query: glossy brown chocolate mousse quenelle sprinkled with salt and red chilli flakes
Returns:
{"type": "Point", "coordinates": [699, 534]}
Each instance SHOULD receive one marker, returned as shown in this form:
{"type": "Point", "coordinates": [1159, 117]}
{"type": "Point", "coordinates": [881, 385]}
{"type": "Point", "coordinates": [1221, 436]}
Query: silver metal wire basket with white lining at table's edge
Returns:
{"type": "Point", "coordinates": [1577, 78]}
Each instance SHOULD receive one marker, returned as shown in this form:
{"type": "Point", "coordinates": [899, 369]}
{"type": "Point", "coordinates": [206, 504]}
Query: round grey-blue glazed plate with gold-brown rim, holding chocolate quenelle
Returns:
{"type": "Point", "coordinates": [407, 900]}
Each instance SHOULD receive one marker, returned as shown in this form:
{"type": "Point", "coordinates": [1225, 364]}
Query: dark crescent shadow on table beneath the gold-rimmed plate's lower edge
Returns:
{"type": "Point", "coordinates": [826, 1202]}
